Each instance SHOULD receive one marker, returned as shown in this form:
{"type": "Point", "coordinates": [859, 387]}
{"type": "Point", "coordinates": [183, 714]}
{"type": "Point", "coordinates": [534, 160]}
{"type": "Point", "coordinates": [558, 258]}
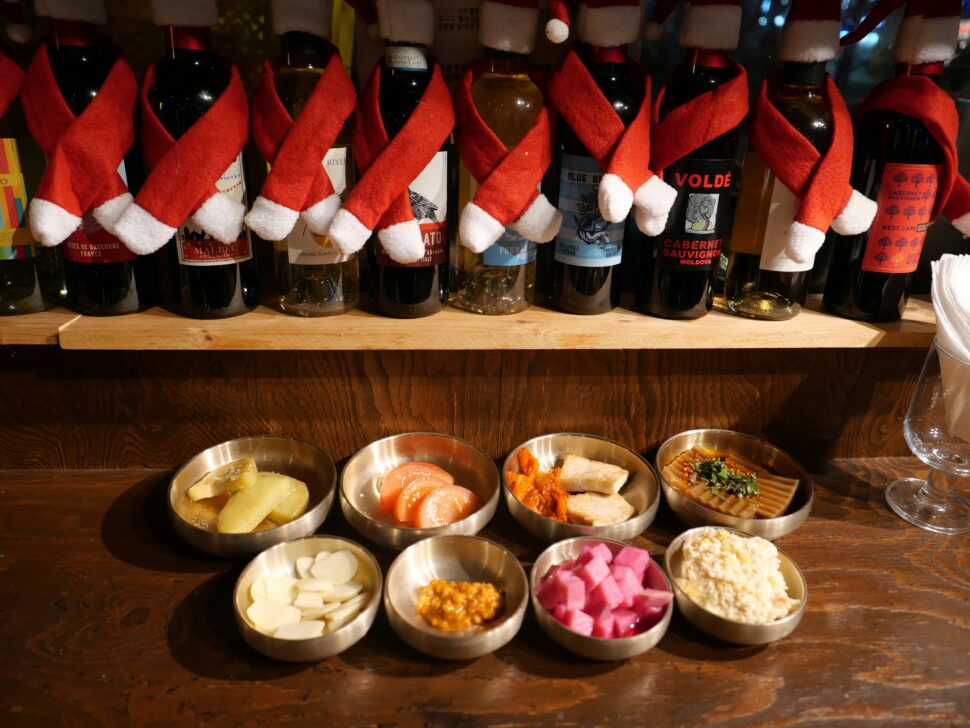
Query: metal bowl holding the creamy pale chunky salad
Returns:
{"type": "Point", "coordinates": [739, 633]}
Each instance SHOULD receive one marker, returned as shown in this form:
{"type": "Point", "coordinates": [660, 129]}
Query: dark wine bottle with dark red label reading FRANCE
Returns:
{"type": "Point", "coordinates": [102, 277]}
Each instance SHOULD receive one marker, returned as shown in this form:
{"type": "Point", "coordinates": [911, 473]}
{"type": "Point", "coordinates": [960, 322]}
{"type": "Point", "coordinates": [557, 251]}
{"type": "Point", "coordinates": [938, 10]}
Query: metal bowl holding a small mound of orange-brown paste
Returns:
{"type": "Point", "coordinates": [454, 558]}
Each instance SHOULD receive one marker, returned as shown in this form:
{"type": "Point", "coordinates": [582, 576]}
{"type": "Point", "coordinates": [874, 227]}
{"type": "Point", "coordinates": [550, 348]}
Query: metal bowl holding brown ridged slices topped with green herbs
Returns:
{"type": "Point", "coordinates": [751, 448]}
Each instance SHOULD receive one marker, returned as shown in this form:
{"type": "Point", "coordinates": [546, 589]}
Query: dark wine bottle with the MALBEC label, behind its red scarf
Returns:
{"type": "Point", "coordinates": [202, 277]}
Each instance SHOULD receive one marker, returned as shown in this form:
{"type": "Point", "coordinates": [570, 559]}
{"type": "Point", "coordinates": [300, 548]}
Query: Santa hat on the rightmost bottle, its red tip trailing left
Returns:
{"type": "Point", "coordinates": [928, 32]}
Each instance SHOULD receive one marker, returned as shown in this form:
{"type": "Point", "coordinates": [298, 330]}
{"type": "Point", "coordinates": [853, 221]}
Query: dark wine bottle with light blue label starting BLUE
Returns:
{"type": "Point", "coordinates": [588, 250]}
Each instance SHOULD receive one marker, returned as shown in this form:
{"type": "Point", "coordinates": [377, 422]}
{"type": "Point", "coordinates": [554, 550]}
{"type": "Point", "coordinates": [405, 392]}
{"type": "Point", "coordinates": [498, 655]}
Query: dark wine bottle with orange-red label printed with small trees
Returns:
{"type": "Point", "coordinates": [895, 159]}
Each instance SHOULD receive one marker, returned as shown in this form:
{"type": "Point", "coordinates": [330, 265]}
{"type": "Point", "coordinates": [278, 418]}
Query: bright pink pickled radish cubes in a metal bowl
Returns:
{"type": "Point", "coordinates": [602, 595]}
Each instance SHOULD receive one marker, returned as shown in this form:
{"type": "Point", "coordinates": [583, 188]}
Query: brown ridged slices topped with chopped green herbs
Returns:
{"type": "Point", "coordinates": [730, 484]}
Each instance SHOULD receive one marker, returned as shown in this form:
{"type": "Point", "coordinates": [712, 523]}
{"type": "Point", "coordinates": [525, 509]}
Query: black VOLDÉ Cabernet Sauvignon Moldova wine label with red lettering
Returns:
{"type": "Point", "coordinates": [700, 216]}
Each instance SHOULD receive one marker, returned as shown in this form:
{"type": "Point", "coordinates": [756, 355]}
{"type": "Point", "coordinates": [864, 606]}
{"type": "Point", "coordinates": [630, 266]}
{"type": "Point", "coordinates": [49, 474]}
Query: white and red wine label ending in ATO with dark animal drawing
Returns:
{"type": "Point", "coordinates": [429, 201]}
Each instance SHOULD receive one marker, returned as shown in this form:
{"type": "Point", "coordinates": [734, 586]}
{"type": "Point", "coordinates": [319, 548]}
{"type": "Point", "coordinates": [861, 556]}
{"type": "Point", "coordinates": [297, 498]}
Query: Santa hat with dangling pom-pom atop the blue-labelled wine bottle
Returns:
{"type": "Point", "coordinates": [604, 23]}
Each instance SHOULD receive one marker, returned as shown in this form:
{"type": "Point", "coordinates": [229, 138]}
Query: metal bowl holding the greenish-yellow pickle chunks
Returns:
{"type": "Point", "coordinates": [295, 458]}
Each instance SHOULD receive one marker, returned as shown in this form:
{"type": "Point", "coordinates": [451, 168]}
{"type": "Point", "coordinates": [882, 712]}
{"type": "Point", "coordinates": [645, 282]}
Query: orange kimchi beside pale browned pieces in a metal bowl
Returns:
{"type": "Point", "coordinates": [578, 490]}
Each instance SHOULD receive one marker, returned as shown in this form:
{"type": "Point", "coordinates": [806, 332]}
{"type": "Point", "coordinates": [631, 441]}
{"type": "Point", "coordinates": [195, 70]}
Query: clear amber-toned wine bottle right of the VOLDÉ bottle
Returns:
{"type": "Point", "coordinates": [762, 282]}
